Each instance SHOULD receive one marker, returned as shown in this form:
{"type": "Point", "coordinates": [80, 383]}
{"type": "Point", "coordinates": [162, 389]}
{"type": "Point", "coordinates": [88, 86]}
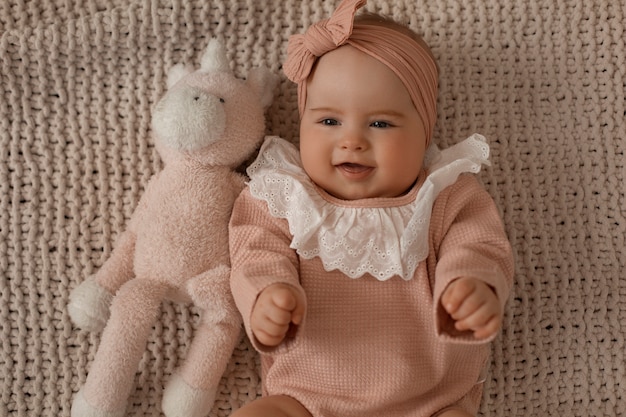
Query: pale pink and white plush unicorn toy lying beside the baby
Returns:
{"type": "Point", "coordinates": [176, 243]}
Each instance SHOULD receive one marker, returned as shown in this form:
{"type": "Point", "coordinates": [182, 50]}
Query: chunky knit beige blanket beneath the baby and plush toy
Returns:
{"type": "Point", "coordinates": [543, 80]}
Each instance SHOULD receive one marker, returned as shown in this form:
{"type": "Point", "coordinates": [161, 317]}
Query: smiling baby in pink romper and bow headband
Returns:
{"type": "Point", "coordinates": [370, 269]}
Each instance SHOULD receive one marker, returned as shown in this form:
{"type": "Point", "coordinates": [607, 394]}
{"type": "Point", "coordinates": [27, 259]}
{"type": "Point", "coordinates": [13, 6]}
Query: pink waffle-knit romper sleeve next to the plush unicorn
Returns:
{"type": "Point", "coordinates": [260, 256]}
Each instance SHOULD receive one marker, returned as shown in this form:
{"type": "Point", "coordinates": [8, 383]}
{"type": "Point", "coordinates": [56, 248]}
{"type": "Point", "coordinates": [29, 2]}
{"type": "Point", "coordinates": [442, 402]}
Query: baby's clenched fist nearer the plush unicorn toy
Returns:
{"type": "Point", "coordinates": [278, 307]}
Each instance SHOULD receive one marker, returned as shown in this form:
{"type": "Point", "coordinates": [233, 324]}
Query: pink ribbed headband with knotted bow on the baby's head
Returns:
{"type": "Point", "coordinates": [409, 60]}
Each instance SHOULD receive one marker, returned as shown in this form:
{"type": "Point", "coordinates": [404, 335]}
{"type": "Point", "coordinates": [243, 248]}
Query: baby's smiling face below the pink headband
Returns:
{"type": "Point", "coordinates": [360, 135]}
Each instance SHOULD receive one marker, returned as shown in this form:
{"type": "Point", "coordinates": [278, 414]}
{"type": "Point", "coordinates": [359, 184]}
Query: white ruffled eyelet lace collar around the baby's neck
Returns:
{"type": "Point", "coordinates": [348, 235]}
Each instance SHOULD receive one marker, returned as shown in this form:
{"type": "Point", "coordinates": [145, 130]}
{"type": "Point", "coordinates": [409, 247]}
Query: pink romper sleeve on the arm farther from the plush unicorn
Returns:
{"type": "Point", "coordinates": [469, 239]}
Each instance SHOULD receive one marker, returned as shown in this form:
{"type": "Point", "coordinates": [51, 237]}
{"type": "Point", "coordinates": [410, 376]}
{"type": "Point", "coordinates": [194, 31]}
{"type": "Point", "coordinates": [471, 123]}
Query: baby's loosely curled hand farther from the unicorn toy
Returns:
{"type": "Point", "coordinates": [474, 306]}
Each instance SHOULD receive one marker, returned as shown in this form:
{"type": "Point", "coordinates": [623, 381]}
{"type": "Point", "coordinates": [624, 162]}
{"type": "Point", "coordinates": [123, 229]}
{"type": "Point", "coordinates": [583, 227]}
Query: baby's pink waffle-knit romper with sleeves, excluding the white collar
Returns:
{"type": "Point", "coordinates": [369, 347]}
